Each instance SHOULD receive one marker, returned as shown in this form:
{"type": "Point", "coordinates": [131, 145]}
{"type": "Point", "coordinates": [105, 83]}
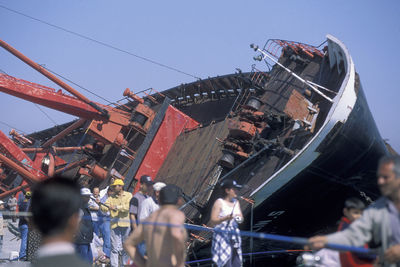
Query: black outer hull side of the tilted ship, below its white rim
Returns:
{"type": "Point", "coordinates": [313, 200]}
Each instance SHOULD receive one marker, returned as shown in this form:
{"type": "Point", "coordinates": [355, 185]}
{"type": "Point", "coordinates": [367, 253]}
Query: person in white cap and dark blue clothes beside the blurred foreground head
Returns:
{"type": "Point", "coordinates": [85, 233]}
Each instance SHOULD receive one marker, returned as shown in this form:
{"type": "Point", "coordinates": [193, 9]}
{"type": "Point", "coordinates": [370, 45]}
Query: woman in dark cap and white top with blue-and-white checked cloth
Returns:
{"type": "Point", "coordinates": [225, 216]}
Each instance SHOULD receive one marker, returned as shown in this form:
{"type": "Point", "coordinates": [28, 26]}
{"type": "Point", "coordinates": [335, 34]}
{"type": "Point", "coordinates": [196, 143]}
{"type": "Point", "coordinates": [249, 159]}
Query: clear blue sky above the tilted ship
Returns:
{"type": "Point", "coordinates": [201, 38]}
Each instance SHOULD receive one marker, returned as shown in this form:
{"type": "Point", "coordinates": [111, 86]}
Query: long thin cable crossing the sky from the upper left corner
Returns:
{"type": "Point", "coordinates": [101, 43]}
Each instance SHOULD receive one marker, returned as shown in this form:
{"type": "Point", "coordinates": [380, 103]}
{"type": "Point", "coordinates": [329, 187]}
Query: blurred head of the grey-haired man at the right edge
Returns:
{"type": "Point", "coordinates": [389, 176]}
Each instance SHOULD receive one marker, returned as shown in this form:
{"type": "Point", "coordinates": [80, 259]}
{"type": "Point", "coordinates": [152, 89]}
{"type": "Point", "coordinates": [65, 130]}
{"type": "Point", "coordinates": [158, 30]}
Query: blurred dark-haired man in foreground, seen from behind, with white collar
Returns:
{"type": "Point", "coordinates": [55, 208]}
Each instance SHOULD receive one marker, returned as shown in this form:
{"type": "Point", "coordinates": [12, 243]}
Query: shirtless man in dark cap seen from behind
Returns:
{"type": "Point", "coordinates": [166, 245]}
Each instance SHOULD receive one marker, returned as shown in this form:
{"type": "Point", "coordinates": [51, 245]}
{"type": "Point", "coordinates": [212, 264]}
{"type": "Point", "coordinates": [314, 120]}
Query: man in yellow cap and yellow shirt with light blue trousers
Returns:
{"type": "Point", "coordinates": [118, 205]}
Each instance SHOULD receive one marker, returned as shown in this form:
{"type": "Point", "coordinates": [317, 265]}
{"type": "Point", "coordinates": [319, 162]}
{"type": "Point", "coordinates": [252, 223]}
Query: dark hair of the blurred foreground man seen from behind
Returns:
{"type": "Point", "coordinates": [54, 201]}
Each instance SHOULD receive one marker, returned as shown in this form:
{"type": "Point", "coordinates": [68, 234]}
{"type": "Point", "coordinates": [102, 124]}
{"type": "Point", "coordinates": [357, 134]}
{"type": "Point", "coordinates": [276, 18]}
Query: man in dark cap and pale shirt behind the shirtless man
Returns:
{"type": "Point", "coordinates": [135, 206]}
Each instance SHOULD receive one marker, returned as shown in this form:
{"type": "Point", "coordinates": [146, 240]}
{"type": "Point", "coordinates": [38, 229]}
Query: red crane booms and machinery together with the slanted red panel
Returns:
{"type": "Point", "coordinates": [107, 124]}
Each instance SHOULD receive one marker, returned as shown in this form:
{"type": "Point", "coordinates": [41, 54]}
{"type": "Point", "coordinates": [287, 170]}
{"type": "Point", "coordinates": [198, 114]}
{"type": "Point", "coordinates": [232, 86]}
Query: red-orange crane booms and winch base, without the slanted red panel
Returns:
{"type": "Point", "coordinates": [105, 123]}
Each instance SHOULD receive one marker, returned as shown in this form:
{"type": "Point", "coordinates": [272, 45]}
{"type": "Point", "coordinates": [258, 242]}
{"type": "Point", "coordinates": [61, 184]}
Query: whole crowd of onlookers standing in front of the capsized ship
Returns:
{"type": "Point", "coordinates": [147, 228]}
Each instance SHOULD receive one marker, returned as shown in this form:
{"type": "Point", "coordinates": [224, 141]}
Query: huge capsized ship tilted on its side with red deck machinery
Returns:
{"type": "Point", "coordinates": [299, 136]}
